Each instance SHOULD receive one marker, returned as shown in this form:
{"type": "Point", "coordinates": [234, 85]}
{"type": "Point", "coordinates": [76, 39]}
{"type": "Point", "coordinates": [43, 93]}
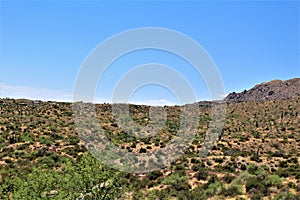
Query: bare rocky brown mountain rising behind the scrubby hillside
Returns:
{"type": "Point", "coordinates": [273, 90]}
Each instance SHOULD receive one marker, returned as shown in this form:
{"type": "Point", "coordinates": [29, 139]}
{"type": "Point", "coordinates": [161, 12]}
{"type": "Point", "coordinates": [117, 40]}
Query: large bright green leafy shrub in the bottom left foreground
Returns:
{"type": "Point", "coordinates": [75, 178]}
